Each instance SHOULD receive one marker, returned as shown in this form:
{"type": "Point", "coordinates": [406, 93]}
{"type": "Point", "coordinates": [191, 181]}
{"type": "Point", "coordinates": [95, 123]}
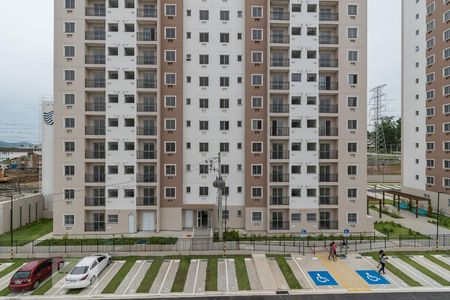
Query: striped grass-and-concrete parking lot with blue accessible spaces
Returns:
{"type": "Point", "coordinates": [259, 273]}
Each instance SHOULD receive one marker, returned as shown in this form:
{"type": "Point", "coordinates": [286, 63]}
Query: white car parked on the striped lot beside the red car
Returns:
{"type": "Point", "coordinates": [87, 270]}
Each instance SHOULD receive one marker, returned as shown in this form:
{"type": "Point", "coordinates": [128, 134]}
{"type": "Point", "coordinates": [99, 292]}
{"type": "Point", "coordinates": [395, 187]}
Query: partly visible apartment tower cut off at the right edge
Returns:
{"type": "Point", "coordinates": [426, 100]}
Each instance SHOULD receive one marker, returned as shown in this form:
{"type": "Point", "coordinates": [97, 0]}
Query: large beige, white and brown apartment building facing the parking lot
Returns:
{"type": "Point", "coordinates": [149, 92]}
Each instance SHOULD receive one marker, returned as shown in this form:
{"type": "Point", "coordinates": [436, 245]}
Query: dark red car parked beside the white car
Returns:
{"type": "Point", "coordinates": [31, 275]}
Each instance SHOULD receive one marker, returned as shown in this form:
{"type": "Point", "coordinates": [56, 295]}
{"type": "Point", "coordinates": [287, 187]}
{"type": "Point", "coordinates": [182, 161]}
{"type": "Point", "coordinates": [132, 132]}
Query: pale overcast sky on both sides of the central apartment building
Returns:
{"type": "Point", "coordinates": [26, 61]}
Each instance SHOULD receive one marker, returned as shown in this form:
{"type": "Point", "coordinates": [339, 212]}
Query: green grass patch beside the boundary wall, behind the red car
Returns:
{"type": "Point", "coordinates": [27, 233]}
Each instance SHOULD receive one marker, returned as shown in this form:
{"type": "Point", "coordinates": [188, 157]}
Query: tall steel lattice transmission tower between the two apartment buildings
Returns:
{"type": "Point", "coordinates": [377, 108]}
